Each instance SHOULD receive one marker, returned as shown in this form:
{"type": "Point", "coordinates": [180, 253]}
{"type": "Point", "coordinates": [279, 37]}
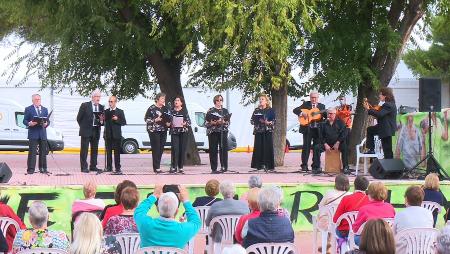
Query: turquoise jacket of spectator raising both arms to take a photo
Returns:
{"type": "Point", "coordinates": [165, 232]}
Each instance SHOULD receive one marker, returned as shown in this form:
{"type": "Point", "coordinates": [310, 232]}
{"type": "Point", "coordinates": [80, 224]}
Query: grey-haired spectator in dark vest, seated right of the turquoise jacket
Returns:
{"type": "Point", "coordinates": [269, 227]}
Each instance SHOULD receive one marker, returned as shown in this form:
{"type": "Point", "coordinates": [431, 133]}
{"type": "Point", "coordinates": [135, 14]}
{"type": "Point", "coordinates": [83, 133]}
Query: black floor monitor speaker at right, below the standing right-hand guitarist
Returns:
{"type": "Point", "coordinates": [387, 168]}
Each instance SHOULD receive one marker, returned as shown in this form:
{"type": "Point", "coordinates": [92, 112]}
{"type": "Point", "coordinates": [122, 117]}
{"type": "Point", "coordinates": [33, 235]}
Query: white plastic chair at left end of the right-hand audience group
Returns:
{"type": "Point", "coordinates": [327, 210]}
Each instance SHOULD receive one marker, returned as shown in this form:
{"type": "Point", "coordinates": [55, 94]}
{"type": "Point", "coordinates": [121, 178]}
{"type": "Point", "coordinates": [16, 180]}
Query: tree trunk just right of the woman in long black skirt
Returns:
{"type": "Point", "coordinates": [279, 103]}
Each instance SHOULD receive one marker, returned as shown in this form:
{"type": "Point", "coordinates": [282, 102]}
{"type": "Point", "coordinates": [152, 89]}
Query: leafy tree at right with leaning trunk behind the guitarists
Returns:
{"type": "Point", "coordinates": [359, 47]}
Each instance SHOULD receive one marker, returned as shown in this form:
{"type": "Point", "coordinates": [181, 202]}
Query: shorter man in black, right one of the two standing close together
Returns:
{"type": "Point", "coordinates": [114, 120]}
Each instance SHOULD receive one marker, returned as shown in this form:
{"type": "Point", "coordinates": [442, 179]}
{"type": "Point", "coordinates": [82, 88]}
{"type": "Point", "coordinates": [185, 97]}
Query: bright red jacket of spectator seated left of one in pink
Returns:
{"type": "Point", "coordinates": [349, 203]}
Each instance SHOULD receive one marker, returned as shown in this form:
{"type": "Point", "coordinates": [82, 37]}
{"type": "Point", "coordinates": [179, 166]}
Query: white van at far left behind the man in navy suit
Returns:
{"type": "Point", "coordinates": [14, 134]}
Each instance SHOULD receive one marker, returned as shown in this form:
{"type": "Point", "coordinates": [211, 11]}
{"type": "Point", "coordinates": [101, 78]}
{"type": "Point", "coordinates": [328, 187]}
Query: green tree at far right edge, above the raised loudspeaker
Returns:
{"type": "Point", "coordinates": [435, 61]}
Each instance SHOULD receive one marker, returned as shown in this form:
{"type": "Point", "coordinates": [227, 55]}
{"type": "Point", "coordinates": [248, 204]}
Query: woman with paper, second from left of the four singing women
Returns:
{"type": "Point", "coordinates": [178, 135]}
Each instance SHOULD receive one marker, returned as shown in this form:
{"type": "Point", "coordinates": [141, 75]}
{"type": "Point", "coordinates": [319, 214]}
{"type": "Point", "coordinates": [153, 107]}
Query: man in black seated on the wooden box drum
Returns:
{"type": "Point", "coordinates": [332, 136]}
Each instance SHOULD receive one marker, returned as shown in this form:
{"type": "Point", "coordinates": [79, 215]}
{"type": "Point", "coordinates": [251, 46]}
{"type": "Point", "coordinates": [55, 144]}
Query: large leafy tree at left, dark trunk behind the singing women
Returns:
{"type": "Point", "coordinates": [124, 46]}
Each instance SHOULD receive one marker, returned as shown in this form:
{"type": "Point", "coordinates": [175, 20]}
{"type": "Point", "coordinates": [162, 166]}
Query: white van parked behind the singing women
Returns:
{"type": "Point", "coordinates": [135, 136]}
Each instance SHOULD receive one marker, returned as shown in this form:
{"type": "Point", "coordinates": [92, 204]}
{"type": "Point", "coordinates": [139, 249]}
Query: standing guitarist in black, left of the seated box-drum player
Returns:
{"type": "Point", "coordinates": [311, 131]}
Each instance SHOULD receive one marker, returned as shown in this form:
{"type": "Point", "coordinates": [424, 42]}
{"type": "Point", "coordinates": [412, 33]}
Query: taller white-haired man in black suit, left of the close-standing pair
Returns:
{"type": "Point", "coordinates": [90, 119]}
